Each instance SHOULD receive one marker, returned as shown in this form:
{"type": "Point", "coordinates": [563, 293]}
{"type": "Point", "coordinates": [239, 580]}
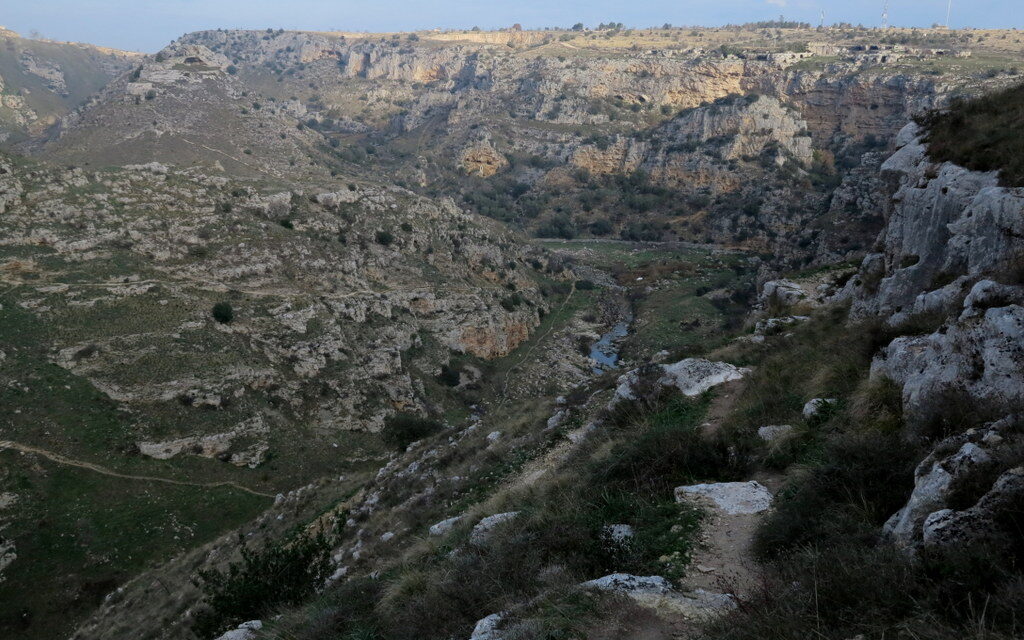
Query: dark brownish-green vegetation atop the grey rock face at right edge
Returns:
{"type": "Point", "coordinates": [986, 134]}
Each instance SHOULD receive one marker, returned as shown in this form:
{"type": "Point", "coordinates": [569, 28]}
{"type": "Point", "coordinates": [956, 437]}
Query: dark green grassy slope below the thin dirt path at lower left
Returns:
{"type": "Point", "coordinates": [79, 535]}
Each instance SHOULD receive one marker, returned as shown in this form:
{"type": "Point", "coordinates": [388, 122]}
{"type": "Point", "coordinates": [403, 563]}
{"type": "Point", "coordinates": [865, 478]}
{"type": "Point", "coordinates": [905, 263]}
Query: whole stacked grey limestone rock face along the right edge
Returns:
{"type": "Point", "coordinates": [949, 274]}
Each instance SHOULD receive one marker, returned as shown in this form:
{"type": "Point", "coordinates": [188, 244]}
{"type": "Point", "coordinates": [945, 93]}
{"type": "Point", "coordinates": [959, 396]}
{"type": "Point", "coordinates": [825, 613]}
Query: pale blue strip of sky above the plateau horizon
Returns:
{"type": "Point", "coordinates": [150, 25]}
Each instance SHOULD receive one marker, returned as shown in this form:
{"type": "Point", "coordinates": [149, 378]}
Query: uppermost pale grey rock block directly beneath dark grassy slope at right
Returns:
{"type": "Point", "coordinates": [946, 228]}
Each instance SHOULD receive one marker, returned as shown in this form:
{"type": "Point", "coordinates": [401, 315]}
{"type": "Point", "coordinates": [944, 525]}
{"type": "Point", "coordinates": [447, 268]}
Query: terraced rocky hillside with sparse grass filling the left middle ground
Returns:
{"type": "Point", "coordinates": [167, 324]}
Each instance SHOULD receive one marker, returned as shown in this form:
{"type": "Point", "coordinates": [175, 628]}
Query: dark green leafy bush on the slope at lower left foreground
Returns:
{"type": "Point", "coordinates": [283, 574]}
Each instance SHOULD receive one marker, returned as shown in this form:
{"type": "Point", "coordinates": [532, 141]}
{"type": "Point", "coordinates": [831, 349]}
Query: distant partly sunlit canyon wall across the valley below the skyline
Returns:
{"type": "Point", "coordinates": [530, 131]}
